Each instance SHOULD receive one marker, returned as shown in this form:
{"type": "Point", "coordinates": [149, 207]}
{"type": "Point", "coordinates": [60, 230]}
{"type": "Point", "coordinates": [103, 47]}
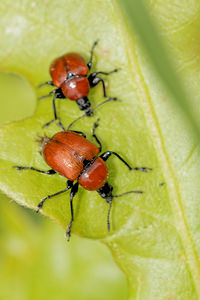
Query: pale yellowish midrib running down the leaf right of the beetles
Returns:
{"type": "Point", "coordinates": [162, 155]}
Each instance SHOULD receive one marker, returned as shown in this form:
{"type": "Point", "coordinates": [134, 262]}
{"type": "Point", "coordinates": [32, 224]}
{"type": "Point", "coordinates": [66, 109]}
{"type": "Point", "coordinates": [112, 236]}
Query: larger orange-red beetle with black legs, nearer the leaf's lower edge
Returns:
{"type": "Point", "coordinates": [71, 155]}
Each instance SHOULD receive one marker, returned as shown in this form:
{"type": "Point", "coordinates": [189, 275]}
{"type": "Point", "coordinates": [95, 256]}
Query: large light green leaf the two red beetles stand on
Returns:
{"type": "Point", "coordinates": [154, 236]}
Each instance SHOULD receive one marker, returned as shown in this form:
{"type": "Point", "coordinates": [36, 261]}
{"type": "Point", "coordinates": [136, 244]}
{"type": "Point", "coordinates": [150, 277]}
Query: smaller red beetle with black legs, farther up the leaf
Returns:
{"type": "Point", "coordinates": [69, 74]}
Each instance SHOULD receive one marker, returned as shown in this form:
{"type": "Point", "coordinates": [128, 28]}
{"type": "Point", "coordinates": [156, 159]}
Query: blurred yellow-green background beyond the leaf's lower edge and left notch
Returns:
{"type": "Point", "coordinates": [36, 261]}
